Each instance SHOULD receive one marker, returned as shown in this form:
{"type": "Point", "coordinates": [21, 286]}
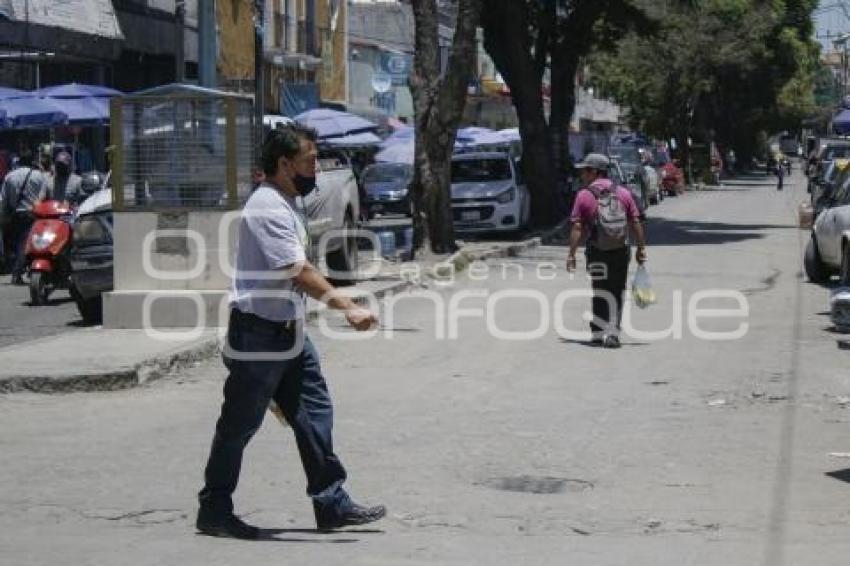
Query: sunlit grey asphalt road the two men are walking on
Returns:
{"type": "Point", "coordinates": [684, 450]}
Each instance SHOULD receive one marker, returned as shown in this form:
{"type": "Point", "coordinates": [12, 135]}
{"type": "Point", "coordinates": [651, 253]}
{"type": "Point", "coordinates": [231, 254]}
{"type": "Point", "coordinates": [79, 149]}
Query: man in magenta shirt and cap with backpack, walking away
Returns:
{"type": "Point", "coordinates": [606, 214]}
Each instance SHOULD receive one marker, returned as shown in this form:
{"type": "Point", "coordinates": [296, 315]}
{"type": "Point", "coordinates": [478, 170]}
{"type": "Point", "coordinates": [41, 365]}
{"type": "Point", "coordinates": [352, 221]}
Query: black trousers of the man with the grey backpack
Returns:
{"type": "Point", "coordinates": [608, 271]}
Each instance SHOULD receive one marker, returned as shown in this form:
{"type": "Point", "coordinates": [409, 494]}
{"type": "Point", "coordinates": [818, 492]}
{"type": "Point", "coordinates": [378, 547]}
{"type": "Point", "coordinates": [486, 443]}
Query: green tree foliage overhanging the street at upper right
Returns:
{"type": "Point", "coordinates": [721, 70]}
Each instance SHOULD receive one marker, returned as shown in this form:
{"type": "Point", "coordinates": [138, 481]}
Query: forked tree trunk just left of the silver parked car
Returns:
{"type": "Point", "coordinates": [438, 102]}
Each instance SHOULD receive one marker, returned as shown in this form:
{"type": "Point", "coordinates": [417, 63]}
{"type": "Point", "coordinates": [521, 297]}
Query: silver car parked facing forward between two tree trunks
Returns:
{"type": "Point", "coordinates": [489, 193]}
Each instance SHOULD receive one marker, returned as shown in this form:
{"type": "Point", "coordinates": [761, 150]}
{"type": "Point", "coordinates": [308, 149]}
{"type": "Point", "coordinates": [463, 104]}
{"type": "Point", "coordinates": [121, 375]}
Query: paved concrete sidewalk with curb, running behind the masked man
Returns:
{"type": "Point", "coordinates": [99, 359]}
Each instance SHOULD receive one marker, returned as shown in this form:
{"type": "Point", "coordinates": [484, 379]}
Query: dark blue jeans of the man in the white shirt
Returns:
{"type": "Point", "coordinates": [299, 389]}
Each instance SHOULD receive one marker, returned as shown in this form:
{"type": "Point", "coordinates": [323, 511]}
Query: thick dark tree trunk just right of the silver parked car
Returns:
{"type": "Point", "coordinates": [521, 59]}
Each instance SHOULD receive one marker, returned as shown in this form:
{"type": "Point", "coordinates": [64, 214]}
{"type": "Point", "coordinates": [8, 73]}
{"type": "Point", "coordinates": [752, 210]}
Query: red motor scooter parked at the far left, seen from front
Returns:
{"type": "Point", "coordinates": [48, 250]}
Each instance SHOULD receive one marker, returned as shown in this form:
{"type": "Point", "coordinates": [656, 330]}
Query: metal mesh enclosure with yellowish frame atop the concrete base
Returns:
{"type": "Point", "coordinates": [182, 151]}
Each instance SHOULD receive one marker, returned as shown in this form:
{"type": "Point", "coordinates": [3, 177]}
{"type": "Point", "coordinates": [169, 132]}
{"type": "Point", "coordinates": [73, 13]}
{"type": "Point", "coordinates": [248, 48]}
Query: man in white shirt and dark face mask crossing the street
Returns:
{"type": "Point", "coordinates": [267, 353]}
